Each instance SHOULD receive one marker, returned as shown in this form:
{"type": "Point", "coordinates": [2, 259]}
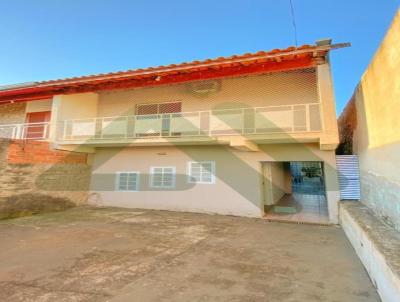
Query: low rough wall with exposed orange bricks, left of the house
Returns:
{"type": "Point", "coordinates": [31, 168]}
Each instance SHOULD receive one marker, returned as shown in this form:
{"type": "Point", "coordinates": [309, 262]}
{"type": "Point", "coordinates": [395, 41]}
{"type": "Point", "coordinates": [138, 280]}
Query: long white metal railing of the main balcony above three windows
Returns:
{"type": "Point", "coordinates": [240, 121]}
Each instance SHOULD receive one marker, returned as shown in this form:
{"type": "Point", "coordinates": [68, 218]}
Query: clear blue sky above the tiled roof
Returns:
{"type": "Point", "coordinates": [50, 39]}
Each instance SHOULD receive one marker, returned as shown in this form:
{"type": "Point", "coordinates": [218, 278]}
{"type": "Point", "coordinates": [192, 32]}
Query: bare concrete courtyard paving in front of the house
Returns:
{"type": "Point", "coordinates": [110, 254]}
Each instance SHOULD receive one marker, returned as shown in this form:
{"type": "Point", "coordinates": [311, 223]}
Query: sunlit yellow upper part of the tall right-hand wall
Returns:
{"type": "Point", "coordinates": [379, 92]}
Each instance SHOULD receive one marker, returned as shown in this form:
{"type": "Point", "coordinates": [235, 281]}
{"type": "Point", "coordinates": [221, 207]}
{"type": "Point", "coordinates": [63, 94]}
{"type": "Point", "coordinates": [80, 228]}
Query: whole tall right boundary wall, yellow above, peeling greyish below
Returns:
{"type": "Point", "coordinates": [376, 137]}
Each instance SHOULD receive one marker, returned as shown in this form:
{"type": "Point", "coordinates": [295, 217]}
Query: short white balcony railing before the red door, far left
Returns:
{"type": "Point", "coordinates": [31, 131]}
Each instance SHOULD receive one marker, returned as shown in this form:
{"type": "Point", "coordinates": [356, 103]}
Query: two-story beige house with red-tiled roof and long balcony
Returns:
{"type": "Point", "coordinates": [221, 136]}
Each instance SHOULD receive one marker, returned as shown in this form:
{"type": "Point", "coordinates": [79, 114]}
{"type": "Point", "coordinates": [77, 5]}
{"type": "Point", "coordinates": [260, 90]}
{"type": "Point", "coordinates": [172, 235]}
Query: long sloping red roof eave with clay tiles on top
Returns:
{"type": "Point", "coordinates": [296, 58]}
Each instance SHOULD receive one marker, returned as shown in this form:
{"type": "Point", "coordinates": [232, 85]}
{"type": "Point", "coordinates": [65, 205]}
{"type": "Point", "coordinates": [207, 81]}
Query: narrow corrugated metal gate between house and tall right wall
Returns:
{"type": "Point", "coordinates": [349, 177]}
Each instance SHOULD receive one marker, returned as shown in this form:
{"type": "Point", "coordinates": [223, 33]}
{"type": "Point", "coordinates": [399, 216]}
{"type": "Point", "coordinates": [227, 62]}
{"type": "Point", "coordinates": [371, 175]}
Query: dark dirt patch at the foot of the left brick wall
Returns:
{"type": "Point", "coordinates": [31, 204]}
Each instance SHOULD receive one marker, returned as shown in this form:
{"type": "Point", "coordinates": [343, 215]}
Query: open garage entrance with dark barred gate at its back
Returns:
{"type": "Point", "coordinates": [295, 191]}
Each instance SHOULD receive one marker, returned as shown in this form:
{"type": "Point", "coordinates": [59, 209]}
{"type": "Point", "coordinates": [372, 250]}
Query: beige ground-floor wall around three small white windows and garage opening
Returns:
{"type": "Point", "coordinates": [238, 187]}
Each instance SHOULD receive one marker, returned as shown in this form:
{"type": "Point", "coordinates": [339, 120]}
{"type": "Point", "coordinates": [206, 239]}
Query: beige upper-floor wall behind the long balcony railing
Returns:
{"type": "Point", "coordinates": [308, 86]}
